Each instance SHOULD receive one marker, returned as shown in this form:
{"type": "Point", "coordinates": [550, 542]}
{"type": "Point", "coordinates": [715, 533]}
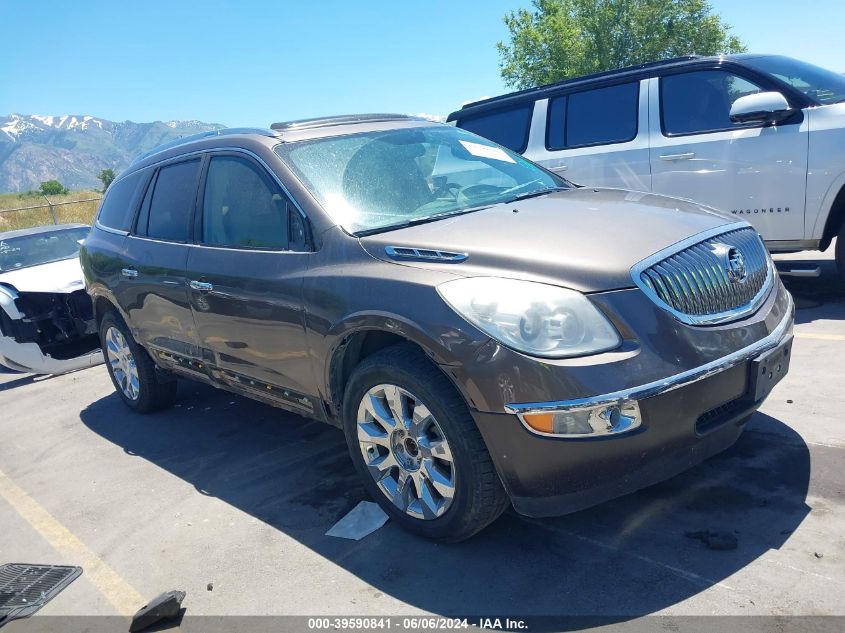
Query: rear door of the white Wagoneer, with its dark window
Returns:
{"type": "Point", "coordinates": [595, 137]}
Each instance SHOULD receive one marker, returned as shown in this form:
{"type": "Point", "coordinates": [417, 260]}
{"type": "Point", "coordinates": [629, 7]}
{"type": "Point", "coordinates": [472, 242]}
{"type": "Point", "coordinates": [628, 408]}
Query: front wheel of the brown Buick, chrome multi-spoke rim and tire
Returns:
{"type": "Point", "coordinates": [462, 468]}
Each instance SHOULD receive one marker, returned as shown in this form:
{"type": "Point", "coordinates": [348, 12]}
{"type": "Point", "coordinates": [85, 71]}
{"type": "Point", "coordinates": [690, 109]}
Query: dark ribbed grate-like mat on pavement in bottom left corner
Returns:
{"type": "Point", "coordinates": [26, 588]}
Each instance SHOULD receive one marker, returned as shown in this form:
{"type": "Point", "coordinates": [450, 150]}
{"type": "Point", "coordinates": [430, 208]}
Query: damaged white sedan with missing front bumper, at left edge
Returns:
{"type": "Point", "coordinates": [46, 317]}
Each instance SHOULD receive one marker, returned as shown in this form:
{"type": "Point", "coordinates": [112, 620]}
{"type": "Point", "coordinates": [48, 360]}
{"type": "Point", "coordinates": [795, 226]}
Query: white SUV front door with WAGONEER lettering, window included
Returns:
{"type": "Point", "coordinates": [758, 173]}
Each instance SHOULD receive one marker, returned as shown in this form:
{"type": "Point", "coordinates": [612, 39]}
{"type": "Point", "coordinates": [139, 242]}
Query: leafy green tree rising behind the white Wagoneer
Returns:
{"type": "Point", "coordinates": [560, 39]}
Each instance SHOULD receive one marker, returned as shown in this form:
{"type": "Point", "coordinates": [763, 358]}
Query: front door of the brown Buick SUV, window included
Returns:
{"type": "Point", "coordinates": [245, 277]}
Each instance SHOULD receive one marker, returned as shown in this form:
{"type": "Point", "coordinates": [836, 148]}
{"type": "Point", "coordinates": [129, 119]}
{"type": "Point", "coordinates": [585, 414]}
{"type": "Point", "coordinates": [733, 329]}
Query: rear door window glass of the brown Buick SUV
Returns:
{"type": "Point", "coordinates": [167, 211]}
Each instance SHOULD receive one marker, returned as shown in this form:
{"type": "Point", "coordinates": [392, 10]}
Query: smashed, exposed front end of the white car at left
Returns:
{"type": "Point", "coordinates": [47, 332]}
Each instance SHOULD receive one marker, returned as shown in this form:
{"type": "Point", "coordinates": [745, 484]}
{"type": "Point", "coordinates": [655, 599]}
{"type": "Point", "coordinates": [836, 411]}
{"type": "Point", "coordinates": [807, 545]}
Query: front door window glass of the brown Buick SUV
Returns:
{"type": "Point", "coordinates": [243, 207]}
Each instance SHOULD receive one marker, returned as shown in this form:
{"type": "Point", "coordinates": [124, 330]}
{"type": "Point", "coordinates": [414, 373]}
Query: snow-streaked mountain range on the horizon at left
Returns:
{"type": "Point", "coordinates": [73, 149]}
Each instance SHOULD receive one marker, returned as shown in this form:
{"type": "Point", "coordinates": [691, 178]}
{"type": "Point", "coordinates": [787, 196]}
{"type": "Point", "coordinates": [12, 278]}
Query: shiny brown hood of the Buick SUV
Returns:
{"type": "Point", "coordinates": [585, 239]}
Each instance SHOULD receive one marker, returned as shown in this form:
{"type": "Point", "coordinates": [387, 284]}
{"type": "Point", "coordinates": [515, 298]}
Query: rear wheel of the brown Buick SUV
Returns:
{"type": "Point", "coordinates": [132, 371]}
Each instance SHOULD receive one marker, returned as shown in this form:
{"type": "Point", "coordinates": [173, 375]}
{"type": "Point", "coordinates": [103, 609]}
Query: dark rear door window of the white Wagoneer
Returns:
{"type": "Point", "coordinates": [594, 117]}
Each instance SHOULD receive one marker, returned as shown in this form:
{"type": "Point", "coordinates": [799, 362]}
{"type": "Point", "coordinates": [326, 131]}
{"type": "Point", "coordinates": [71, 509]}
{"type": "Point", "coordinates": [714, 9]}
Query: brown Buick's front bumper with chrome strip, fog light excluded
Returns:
{"type": "Point", "coordinates": [686, 418]}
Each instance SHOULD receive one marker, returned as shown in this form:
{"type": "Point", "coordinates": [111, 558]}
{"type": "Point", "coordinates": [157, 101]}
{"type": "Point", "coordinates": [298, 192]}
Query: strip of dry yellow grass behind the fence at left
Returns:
{"type": "Point", "coordinates": [66, 213]}
